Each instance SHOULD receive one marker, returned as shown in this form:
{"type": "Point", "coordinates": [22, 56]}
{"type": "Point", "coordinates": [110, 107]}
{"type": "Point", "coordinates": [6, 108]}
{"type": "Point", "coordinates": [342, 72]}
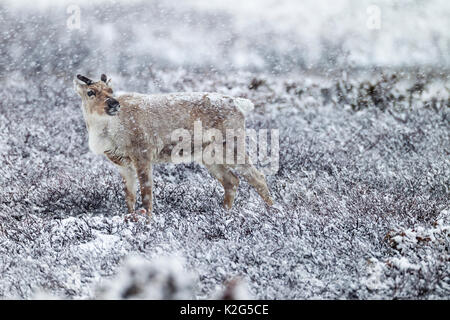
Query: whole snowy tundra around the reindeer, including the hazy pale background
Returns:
{"type": "Point", "coordinates": [361, 195]}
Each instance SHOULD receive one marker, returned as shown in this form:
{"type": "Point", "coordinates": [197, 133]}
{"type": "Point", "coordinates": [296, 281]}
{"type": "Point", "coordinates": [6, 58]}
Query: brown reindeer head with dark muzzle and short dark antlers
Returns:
{"type": "Point", "coordinates": [97, 96]}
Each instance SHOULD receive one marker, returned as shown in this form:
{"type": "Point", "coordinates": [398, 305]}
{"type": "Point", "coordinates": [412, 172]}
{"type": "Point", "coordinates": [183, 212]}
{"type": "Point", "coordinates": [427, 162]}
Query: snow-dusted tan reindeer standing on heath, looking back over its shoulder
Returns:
{"type": "Point", "coordinates": [134, 131]}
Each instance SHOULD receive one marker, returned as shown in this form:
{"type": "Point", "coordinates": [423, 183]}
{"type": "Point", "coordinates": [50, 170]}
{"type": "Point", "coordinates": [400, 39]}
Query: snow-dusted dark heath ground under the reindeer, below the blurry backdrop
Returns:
{"type": "Point", "coordinates": [361, 195]}
